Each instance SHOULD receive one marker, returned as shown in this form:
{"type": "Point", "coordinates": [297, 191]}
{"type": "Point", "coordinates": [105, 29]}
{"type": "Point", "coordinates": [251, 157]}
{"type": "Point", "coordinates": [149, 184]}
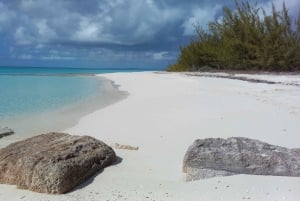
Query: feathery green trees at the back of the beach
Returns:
{"type": "Point", "coordinates": [244, 39]}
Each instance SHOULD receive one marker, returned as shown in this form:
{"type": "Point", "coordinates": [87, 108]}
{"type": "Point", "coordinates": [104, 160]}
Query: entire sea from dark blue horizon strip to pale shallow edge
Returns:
{"type": "Point", "coordinates": [51, 99]}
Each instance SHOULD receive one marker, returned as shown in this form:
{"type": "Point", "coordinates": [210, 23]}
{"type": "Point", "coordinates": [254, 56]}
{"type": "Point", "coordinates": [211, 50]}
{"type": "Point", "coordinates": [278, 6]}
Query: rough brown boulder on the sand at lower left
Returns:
{"type": "Point", "coordinates": [53, 163]}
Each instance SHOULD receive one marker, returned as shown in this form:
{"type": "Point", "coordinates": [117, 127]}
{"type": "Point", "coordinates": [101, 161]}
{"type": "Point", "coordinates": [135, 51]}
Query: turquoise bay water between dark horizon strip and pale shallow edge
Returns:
{"type": "Point", "coordinates": [22, 95]}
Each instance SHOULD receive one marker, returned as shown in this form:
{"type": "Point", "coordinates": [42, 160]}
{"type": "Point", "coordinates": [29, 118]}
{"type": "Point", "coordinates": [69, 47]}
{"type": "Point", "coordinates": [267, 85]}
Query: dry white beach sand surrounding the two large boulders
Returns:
{"type": "Point", "coordinates": [163, 115]}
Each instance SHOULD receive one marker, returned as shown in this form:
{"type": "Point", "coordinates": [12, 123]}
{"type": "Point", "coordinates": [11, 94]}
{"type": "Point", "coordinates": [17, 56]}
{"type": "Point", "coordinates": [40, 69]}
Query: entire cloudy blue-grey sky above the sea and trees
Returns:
{"type": "Point", "coordinates": [105, 33]}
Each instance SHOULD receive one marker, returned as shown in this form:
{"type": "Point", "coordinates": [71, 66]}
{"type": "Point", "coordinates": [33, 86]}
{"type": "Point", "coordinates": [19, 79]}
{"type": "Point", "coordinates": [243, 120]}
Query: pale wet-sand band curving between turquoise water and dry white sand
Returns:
{"type": "Point", "coordinates": [64, 117]}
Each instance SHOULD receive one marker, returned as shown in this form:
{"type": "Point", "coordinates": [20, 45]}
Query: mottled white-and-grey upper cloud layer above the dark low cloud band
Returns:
{"type": "Point", "coordinates": [121, 22]}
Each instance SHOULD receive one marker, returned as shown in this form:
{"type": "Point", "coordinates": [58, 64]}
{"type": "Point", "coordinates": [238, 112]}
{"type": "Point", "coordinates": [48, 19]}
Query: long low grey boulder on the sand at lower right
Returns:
{"type": "Point", "coordinates": [212, 157]}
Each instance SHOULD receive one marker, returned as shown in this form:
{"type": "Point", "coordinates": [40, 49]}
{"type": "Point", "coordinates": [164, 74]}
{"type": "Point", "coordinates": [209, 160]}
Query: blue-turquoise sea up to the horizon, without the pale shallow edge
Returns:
{"type": "Point", "coordinates": [32, 90]}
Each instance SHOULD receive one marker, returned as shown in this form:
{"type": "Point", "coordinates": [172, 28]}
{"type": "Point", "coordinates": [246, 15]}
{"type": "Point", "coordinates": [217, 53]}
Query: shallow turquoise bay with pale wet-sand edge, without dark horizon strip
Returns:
{"type": "Point", "coordinates": [38, 112]}
